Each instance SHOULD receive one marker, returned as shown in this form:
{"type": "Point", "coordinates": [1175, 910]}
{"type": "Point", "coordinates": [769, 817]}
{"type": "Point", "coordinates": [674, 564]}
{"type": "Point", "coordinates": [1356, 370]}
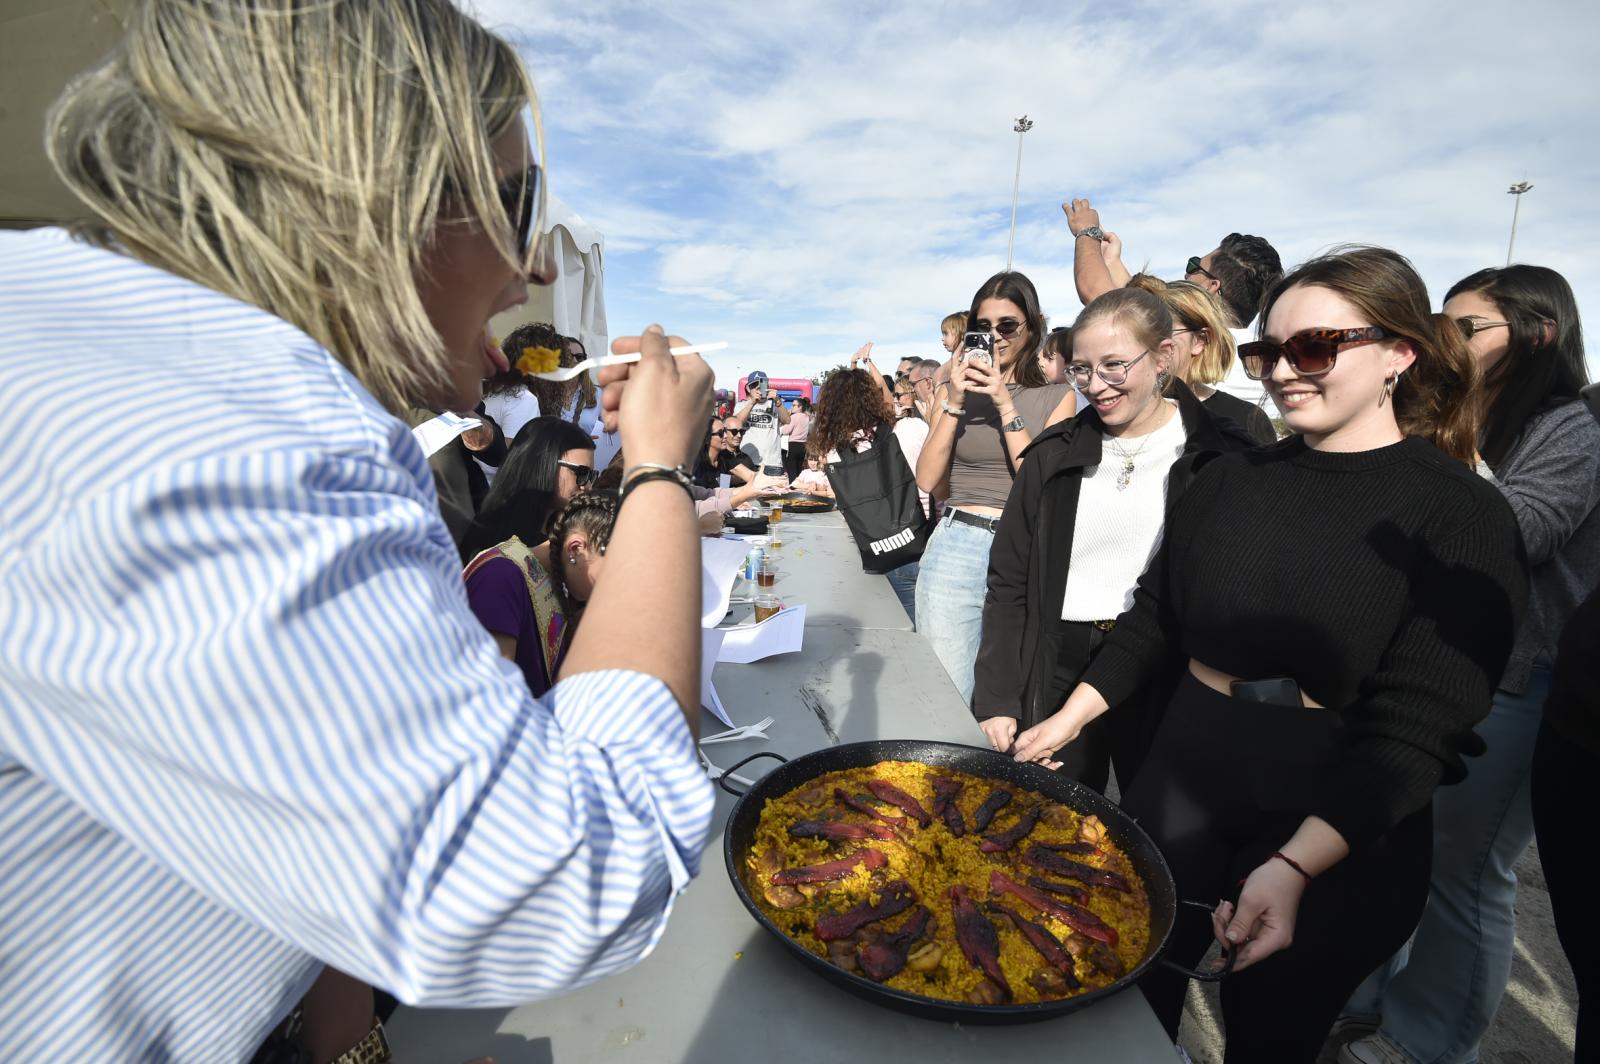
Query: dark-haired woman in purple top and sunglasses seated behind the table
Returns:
{"type": "Point", "coordinates": [510, 574]}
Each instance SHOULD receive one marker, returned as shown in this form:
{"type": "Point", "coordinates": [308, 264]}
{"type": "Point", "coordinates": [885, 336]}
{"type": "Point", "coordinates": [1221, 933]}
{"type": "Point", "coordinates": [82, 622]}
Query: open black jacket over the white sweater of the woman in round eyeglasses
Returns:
{"type": "Point", "coordinates": [1033, 548]}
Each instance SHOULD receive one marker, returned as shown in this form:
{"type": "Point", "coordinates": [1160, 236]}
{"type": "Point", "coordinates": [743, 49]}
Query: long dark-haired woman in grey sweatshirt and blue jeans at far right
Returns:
{"type": "Point", "coordinates": [1542, 449]}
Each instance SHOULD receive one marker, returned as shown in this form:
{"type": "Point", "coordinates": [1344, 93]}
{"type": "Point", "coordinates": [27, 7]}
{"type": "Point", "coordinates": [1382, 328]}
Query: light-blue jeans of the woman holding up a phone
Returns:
{"type": "Point", "coordinates": [951, 598]}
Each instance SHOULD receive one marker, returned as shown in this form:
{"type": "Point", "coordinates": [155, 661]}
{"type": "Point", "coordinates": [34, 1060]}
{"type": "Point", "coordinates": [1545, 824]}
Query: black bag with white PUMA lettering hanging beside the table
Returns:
{"type": "Point", "coordinates": [876, 490]}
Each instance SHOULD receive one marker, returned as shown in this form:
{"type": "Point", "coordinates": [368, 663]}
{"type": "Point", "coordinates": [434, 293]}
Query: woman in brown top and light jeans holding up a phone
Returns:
{"type": "Point", "coordinates": [988, 407]}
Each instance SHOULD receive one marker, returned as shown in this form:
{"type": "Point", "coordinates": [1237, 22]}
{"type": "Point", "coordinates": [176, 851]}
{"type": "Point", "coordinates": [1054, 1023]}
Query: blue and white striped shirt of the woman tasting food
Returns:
{"type": "Point", "coordinates": [247, 721]}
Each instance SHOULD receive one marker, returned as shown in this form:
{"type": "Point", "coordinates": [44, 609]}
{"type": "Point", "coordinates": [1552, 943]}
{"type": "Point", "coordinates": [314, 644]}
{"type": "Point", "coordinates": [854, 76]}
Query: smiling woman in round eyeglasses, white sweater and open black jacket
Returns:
{"type": "Point", "coordinates": [1084, 518]}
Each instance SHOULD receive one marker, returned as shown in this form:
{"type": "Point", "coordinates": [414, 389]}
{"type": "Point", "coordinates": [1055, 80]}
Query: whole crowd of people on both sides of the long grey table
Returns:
{"type": "Point", "coordinates": [1340, 662]}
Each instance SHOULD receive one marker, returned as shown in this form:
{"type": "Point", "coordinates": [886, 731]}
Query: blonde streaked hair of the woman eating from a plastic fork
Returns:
{"type": "Point", "coordinates": [300, 158]}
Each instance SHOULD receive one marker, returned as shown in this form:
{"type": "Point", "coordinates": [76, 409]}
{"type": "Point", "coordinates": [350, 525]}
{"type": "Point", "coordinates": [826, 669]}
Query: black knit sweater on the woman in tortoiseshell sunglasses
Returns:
{"type": "Point", "coordinates": [1388, 583]}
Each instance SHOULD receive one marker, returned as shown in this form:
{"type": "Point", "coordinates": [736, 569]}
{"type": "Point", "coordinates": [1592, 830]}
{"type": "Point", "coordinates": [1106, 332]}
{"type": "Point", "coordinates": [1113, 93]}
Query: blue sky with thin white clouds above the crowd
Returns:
{"type": "Point", "coordinates": [801, 178]}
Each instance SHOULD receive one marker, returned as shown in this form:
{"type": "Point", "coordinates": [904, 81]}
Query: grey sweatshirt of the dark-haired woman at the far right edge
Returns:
{"type": "Point", "coordinates": [1553, 482]}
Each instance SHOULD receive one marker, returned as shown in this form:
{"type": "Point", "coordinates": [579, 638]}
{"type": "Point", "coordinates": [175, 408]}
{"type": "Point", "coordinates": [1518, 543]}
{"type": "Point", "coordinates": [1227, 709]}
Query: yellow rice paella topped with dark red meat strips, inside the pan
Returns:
{"type": "Point", "coordinates": [948, 886]}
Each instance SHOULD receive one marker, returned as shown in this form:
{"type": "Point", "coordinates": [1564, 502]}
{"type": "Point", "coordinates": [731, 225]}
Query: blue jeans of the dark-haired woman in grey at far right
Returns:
{"type": "Point", "coordinates": [1439, 996]}
